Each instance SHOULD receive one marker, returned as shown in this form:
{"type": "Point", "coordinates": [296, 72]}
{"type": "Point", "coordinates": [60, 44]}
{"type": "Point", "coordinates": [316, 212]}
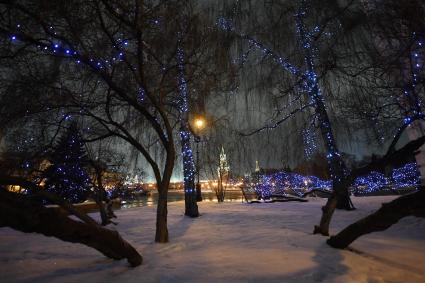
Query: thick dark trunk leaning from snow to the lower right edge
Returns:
{"type": "Point", "coordinates": [389, 214]}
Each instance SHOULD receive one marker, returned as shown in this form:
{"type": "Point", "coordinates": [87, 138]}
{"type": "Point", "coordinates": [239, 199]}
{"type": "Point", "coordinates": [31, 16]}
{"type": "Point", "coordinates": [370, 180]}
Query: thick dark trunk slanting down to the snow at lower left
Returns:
{"type": "Point", "coordinates": [21, 213]}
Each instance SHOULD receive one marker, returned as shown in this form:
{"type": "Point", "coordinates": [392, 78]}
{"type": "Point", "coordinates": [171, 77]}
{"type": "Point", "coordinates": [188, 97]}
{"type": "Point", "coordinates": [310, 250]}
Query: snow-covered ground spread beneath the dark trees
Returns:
{"type": "Point", "coordinates": [230, 242]}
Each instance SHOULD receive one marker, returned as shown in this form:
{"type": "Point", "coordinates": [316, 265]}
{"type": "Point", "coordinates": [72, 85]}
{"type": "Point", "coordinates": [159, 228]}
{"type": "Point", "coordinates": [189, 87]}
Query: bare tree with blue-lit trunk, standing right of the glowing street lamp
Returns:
{"type": "Point", "coordinates": [327, 39]}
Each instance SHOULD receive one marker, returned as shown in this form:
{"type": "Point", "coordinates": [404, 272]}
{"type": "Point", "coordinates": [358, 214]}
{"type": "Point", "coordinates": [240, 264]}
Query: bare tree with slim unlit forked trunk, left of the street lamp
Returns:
{"type": "Point", "coordinates": [118, 69]}
